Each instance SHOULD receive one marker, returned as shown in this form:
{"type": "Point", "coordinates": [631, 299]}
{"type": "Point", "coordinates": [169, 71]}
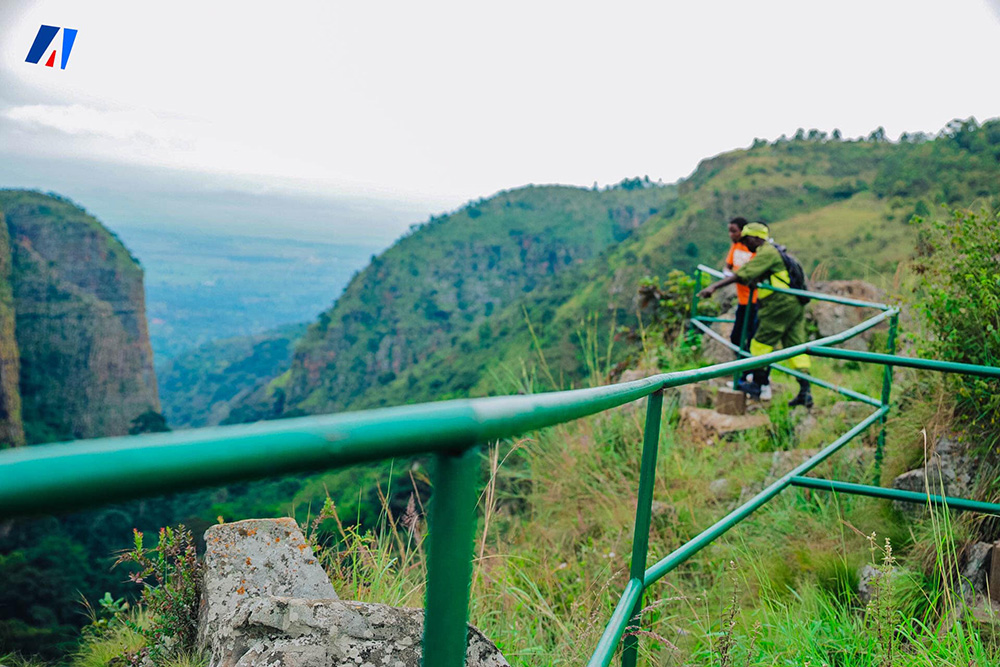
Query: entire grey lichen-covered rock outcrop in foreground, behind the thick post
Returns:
{"type": "Point", "coordinates": [266, 601]}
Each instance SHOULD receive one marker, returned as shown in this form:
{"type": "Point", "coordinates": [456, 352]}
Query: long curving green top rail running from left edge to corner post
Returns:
{"type": "Point", "coordinates": [48, 478]}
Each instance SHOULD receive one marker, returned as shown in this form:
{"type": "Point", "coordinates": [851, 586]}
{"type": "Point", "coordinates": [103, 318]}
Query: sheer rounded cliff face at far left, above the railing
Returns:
{"type": "Point", "coordinates": [79, 323]}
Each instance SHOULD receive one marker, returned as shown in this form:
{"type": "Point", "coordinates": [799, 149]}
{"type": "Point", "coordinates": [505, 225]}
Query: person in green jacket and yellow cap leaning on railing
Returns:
{"type": "Point", "coordinates": [782, 317]}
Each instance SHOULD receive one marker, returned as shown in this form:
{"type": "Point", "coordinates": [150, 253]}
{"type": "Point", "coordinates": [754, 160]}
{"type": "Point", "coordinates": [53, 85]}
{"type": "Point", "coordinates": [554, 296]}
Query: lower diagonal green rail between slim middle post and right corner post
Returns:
{"type": "Point", "coordinates": [706, 537]}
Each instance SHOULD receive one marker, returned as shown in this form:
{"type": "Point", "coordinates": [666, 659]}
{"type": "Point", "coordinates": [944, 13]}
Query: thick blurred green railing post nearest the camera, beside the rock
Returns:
{"type": "Point", "coordinates": [449, 567]}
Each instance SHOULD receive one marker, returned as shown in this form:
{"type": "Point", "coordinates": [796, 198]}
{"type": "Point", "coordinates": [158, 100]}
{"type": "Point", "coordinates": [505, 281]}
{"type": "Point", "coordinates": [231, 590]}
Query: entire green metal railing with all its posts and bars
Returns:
{"type": "Point", "coordinates": [70, 476]}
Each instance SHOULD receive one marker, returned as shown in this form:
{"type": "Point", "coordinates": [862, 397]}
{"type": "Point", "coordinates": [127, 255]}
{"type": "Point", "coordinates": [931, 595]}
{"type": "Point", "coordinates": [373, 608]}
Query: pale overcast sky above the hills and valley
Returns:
{"type": "Point", "coordinates": [417, 107]}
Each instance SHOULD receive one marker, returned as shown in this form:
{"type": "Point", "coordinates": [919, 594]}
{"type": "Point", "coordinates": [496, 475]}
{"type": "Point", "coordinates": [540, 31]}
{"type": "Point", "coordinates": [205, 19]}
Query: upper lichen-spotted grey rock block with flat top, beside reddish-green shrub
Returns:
{"type": "Point", "coordinates": [253, 559]}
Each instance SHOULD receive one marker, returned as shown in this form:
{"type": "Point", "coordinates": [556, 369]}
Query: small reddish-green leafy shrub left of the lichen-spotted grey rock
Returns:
{"type": "Point", "coordinates": [170, 576]}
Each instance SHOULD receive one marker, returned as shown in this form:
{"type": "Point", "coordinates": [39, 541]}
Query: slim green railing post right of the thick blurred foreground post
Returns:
{"type": "Point", "coordinates": [643, 511]}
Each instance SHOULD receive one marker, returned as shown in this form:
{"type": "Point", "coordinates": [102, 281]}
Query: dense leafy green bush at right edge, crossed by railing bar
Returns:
{"type": "Point", "coordinates": [959, 300]}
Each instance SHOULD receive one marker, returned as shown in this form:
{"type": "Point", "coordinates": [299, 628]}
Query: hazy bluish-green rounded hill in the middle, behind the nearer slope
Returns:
{"type": "Point", "coordinates": [444, 280]}
